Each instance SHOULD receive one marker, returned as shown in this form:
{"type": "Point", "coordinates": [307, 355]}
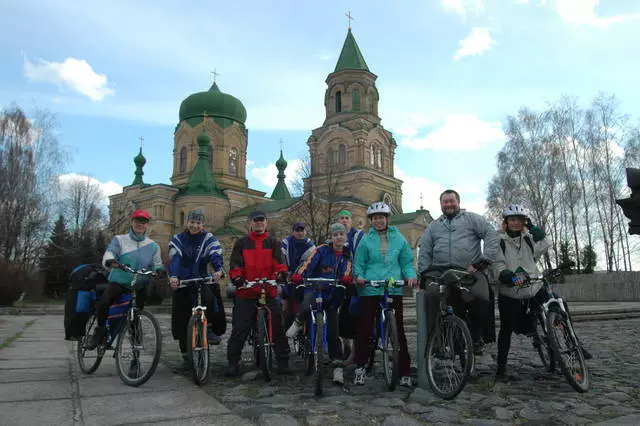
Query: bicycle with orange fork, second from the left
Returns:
{"type": "Point", "coordinates": [197, 331]}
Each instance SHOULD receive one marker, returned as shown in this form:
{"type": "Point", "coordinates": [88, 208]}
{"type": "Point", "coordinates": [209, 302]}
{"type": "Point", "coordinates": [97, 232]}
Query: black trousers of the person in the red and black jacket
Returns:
{"type": "Point", "coordinates": [244, 317]}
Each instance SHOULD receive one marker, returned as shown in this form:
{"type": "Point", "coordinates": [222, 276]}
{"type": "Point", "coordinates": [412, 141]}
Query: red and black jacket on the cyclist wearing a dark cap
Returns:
{"type": "Point", "coordinates": [254, 257]}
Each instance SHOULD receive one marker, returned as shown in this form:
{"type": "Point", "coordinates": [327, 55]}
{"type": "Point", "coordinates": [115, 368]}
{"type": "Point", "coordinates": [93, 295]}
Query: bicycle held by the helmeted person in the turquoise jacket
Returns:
{"type": "Point", "coordinates": [385, 333]}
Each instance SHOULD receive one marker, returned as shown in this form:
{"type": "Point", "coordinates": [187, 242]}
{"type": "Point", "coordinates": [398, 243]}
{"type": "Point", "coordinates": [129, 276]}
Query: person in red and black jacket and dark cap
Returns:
{"type": "Point", "coordinates": [254, 257]}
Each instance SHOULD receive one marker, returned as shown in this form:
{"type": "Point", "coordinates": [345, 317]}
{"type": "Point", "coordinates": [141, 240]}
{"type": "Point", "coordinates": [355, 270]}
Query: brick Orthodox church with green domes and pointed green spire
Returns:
{"type": "Point", "coordinates": [351, 166]}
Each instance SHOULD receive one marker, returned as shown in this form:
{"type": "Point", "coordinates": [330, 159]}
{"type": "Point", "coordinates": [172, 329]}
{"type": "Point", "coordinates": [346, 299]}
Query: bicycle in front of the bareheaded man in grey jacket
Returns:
{"type": "Point", "coordinates": [450, 338]}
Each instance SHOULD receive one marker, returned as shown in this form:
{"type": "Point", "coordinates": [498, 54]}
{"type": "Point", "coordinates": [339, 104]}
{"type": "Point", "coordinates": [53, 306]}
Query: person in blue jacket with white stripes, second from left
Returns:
{"type": "Point", "coordinates": [189, 254]}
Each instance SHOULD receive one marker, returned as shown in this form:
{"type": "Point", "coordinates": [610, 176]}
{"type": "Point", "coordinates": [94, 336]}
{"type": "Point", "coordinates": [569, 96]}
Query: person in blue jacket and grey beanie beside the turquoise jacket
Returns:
{"type": "Point", "coordinates": [332, 261]}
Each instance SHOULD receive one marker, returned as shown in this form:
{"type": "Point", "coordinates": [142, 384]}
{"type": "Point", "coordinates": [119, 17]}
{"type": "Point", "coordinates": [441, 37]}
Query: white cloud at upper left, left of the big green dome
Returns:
{"type": "Point", "coordinates": [75, 74]}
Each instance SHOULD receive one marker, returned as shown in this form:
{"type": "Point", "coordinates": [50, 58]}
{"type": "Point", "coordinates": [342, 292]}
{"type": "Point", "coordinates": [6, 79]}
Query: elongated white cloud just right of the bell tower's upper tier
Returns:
{"type": "Point", "coordinates": [458, 132]}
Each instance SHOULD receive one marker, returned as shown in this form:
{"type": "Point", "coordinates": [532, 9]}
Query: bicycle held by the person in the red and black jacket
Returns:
{"type": "Point", "coordinates": [261, 336]}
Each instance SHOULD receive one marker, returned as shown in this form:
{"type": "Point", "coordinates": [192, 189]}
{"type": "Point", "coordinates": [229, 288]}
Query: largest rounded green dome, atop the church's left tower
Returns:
{"type": "Point", "coordinates": [215, 103]}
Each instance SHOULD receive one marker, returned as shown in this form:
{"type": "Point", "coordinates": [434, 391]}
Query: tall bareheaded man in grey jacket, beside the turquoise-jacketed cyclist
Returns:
{"type": "Point", "coordinates": [454, 241]}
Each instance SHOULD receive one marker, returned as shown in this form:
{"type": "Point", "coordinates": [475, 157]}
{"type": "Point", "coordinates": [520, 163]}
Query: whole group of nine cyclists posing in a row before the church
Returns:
{"type": "Point", "coordinates": [350, 257]}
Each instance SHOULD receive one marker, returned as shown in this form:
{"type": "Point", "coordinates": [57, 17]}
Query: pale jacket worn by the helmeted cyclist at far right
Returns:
{"type": "Point", "coordinates": [518, 253]}
